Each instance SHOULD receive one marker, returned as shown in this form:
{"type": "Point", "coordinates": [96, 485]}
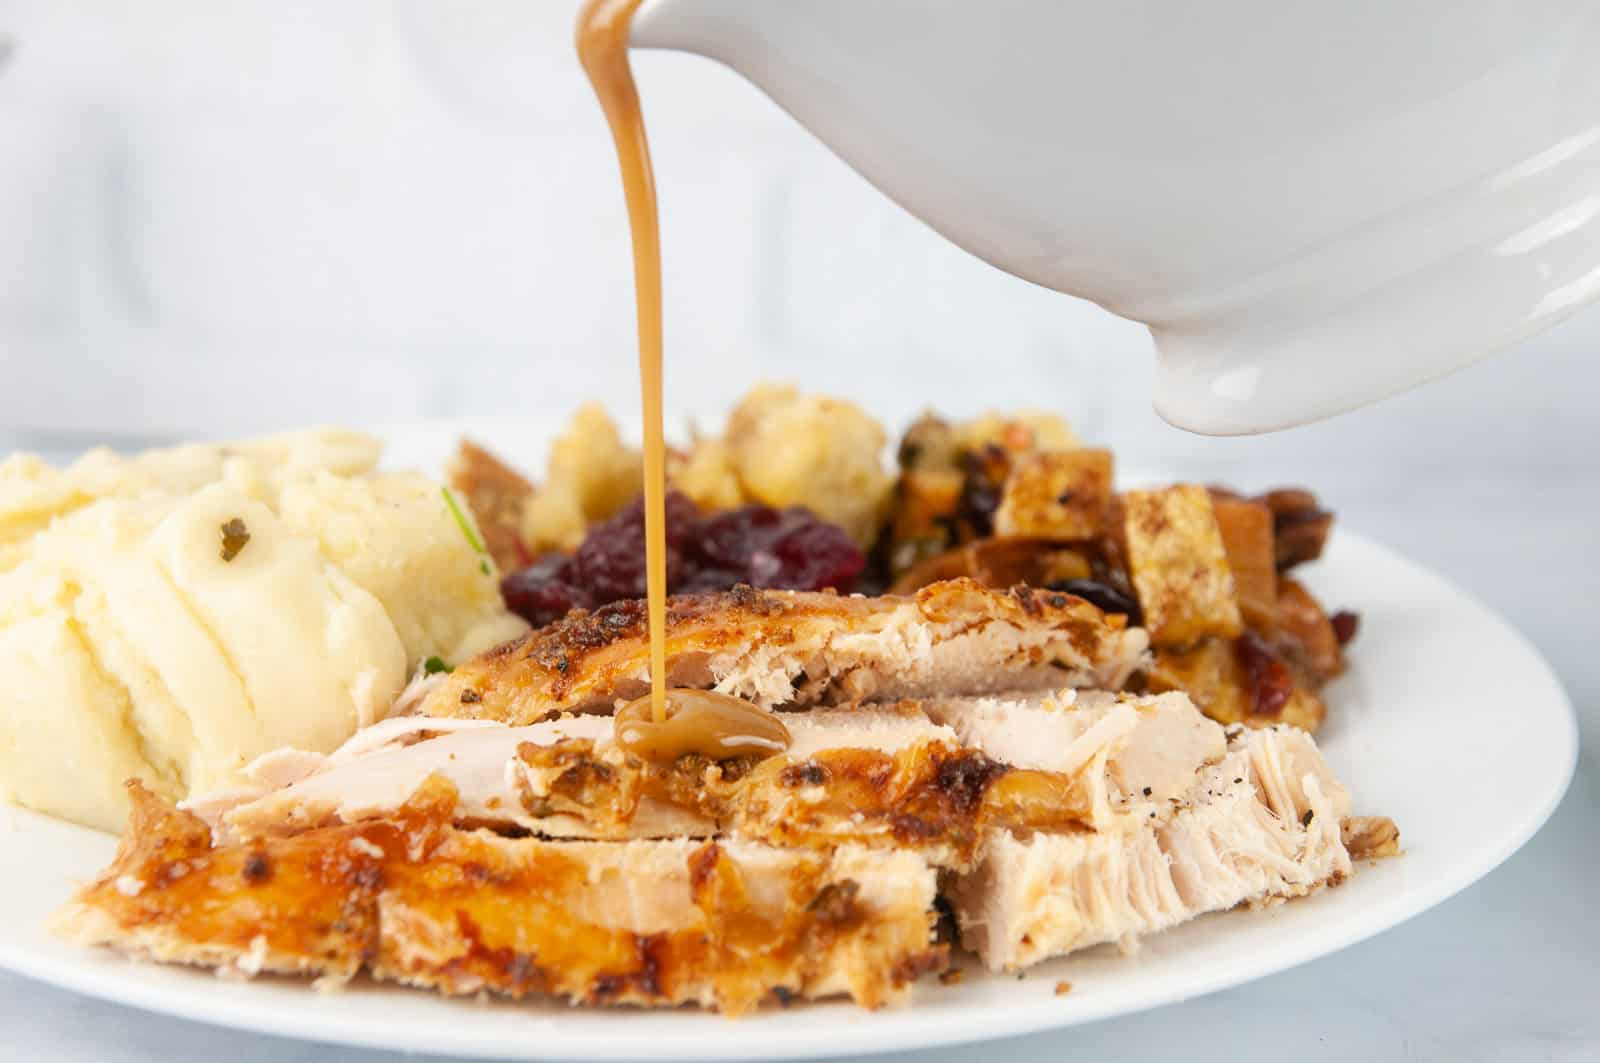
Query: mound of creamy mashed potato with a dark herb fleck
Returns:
{"type": "Point", "coordinates": [135, 648]}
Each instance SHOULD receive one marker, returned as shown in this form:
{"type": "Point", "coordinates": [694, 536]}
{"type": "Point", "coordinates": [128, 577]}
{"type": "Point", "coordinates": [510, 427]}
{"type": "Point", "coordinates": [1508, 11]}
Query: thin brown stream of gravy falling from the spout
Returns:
{"type": "Point", "coordinates": [602, 49]}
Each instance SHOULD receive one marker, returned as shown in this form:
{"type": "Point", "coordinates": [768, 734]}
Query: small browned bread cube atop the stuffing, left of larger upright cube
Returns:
{"type": "Point", "coordinates": [1057, 495]}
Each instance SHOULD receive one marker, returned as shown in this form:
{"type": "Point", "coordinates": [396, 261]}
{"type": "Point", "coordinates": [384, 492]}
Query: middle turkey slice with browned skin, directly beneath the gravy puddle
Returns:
{"type": "Point", "coordinates": [878, 776]}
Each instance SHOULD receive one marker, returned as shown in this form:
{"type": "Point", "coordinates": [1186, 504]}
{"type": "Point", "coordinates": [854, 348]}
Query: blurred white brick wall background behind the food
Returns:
{"type": "Point", "coordinates": [230, 217]}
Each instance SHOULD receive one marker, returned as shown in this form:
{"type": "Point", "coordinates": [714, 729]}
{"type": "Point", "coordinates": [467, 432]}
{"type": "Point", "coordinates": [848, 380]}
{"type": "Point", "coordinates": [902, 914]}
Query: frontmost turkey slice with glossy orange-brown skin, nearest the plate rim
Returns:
{"type": "Point", "coordinates": [412, 899]}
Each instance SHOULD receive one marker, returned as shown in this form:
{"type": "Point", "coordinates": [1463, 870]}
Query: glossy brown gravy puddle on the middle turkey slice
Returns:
{"type": "Point", "coordinates": [702, 723]}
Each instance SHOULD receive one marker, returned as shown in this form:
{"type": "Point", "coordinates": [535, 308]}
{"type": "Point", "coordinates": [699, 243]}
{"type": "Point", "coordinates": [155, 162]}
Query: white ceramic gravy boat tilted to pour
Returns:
{"type": "Point", "coordinates": [1311, 206]}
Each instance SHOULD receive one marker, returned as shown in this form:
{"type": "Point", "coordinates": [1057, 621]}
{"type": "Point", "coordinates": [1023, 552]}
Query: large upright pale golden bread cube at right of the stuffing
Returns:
{"type": "Point", "coordinates": [1178, 566]}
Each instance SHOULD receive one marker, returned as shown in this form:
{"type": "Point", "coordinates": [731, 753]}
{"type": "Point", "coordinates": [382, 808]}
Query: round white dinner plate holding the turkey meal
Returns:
{"type": "Point", "coordinates": [1449, 721]}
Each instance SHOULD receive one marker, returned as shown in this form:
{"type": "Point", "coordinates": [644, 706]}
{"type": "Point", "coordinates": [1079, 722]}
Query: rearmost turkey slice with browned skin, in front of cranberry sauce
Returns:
{"type": "Point", "coordinates": [802, 649]}
